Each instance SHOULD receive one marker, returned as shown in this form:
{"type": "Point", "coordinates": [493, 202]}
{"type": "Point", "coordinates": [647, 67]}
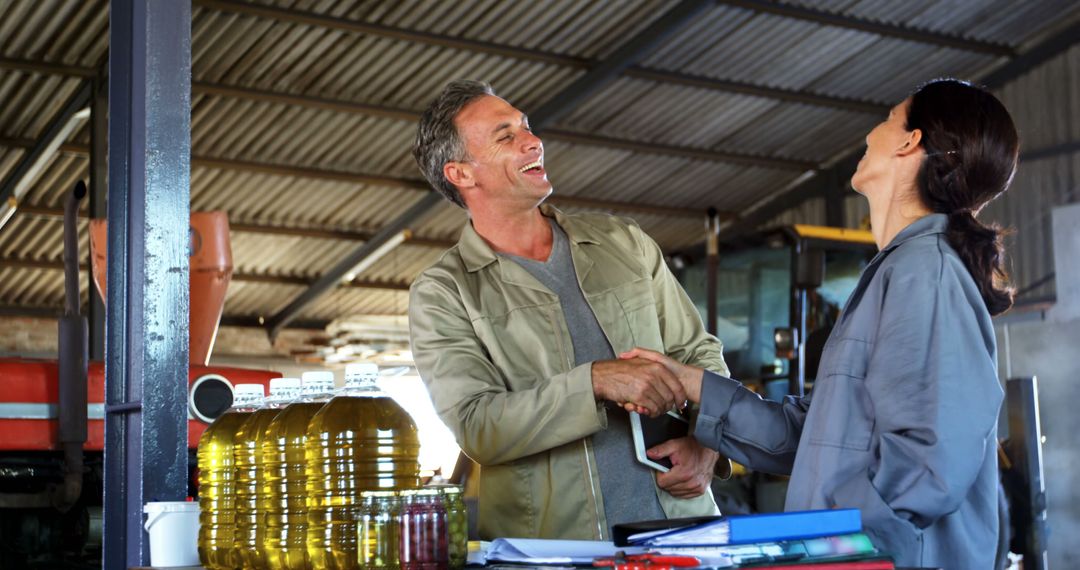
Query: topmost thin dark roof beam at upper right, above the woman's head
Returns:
{"type": "Point", "coordinates": [889, 31]}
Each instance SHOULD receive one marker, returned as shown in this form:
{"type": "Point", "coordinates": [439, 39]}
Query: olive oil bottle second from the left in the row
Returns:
{"type": "Point", "coordinates": [248, 453]}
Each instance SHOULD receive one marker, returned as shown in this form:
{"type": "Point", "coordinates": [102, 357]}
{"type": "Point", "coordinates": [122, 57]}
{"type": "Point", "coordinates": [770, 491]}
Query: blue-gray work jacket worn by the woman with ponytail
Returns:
{"type": "Point", "coordinates": [902, 419]}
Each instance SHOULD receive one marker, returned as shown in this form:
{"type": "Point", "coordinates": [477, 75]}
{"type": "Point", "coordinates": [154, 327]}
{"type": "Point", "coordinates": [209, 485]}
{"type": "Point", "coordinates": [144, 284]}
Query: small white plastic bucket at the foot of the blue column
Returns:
{"type": "Point", "coordinates": [174, 533]}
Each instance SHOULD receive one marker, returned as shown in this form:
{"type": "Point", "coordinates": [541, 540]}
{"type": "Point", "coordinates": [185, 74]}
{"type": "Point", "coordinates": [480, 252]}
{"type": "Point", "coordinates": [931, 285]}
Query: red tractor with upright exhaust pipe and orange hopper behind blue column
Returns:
{"type": "Point", "coordinates": [52, 413]}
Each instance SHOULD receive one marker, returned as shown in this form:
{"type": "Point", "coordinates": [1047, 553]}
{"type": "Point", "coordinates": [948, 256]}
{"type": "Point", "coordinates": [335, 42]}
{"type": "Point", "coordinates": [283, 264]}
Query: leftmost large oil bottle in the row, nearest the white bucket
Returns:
{"type": "Point", "coordinates": [218, 481]}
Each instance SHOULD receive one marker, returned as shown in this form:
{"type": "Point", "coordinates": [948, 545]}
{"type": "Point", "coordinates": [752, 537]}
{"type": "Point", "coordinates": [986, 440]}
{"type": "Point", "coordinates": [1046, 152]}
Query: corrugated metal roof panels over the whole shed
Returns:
{"type": "Point", "coordinates": [283, 166]}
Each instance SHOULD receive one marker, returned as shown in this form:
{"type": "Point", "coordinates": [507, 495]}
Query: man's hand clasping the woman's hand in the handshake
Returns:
{"type": "Point", "coordinates": [638, 385]}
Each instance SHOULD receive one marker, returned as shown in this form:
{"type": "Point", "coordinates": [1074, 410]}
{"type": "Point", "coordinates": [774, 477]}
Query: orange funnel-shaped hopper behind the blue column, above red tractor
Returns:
{"type": "Point", "coordinates": [211, 273]}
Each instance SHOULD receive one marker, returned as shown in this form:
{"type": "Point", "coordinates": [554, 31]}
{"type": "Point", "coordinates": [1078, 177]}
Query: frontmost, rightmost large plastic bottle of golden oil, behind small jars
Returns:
{"type": "Point", "coordinates": [360, 441]}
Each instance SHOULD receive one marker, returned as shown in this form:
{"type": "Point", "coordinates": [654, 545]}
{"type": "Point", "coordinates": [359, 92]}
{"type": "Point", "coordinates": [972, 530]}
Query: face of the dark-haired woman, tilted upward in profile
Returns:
{"type": "Point", "coordinates": [886, 145]}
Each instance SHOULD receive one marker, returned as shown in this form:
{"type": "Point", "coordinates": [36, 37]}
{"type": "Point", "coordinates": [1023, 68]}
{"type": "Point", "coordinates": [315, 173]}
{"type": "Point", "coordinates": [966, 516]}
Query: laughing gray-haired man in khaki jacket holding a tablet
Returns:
{"type": "Point", "coordinates": [517, 332]}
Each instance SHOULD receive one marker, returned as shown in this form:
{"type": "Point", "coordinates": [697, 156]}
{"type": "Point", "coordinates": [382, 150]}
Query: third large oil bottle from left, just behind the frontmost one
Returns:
{"type": "Point", "coordinates": [286, 539]}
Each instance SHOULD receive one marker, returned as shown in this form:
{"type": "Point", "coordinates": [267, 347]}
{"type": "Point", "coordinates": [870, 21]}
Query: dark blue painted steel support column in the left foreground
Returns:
{"type": "Point", "coordinates": [146, 348]}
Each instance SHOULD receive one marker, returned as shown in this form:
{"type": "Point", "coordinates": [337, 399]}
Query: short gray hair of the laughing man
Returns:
{"type": "Point", "coordinates": [438, 141]}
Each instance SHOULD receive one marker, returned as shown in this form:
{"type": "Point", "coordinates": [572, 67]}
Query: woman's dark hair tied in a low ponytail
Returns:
{"type": "Point", "coordinates": [971, 147]}
